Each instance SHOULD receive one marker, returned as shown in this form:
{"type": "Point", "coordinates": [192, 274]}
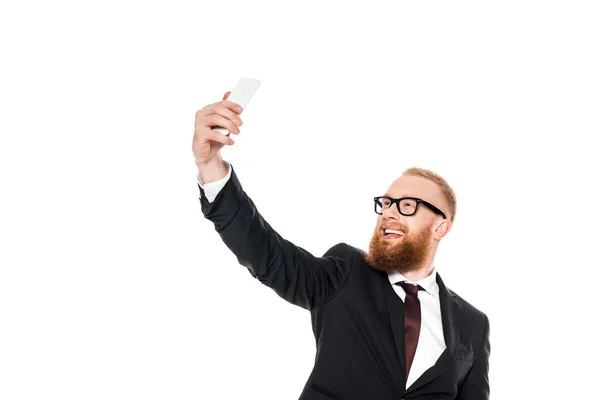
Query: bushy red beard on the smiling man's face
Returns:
{"type": "Point", "coordinates": [409, 254]}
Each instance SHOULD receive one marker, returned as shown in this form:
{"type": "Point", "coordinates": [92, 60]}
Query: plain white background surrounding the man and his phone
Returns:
{"type": "Point", "coordinates": [114, 286]}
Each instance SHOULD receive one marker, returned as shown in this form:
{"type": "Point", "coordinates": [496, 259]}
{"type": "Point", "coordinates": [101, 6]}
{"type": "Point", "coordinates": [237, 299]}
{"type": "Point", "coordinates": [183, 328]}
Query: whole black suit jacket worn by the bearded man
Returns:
{"type": "Point", "coordinates": [357, 318]}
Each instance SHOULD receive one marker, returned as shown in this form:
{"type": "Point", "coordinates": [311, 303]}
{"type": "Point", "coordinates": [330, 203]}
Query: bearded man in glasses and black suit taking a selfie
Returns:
{"type": "Point", "coordinates": [385, 324]}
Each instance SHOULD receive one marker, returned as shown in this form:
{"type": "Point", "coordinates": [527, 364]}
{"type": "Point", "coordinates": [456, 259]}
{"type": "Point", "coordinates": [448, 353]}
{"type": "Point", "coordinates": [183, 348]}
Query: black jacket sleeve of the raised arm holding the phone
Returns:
{"type": "Point", "coordinates": [292, 272]}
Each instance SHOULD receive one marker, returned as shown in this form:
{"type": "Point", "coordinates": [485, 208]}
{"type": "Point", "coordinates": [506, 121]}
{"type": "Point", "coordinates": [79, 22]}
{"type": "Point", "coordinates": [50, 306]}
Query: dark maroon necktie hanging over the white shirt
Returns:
{"type": "Point", "coordinates": [412, 321]}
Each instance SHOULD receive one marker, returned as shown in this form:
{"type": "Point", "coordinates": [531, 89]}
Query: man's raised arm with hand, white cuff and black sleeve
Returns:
{"type": "Point", "coordinates": [292, 272]}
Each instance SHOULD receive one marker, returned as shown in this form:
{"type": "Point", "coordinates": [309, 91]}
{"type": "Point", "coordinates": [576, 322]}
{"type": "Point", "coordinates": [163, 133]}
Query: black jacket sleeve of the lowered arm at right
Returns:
{"type": "Point", "coordinates": [476, 385]}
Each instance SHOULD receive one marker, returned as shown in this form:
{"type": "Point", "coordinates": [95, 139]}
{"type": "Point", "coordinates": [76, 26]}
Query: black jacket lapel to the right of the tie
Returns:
{"type": "Point", "coordinates": [451, 323]}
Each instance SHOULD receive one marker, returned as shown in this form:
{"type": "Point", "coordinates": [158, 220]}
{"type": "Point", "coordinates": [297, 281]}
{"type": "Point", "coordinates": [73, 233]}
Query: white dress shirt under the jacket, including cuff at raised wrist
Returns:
{"type": "Point", "coordinates": [431, 342]}
